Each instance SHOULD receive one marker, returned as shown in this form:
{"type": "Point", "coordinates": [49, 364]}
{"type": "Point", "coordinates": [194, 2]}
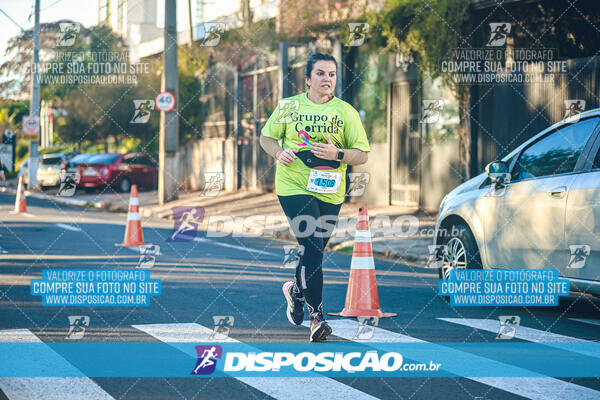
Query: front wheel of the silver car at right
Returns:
{"type": "Point", "coordinates": [461, 251]}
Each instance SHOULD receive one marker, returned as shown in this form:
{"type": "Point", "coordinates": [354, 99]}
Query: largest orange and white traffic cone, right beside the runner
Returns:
{"type": "Point", "coordinates": [362, 297]}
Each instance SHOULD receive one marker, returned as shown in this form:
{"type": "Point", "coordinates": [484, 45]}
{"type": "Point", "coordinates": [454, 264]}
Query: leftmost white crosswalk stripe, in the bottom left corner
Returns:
{"type": "Point", "coordinates": [48, 388]}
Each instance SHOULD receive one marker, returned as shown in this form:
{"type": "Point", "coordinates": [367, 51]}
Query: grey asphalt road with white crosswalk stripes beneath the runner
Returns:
{"type": "Point", "coordinates": [242, 277]}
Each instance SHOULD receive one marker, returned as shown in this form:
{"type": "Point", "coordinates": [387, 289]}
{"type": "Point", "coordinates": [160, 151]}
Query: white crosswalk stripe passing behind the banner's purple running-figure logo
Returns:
{"type": "Point", "coordinates": [288, 388]}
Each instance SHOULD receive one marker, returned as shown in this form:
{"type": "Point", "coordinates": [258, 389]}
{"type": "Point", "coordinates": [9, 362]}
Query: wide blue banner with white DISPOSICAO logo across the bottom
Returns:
{"type": "Point", "coordinates": [344, 359]}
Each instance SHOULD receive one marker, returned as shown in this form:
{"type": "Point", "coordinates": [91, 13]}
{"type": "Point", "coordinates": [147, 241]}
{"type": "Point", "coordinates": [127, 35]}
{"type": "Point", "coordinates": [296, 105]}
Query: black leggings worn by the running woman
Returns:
{"type": "Point", "coordinates": [303, 213]}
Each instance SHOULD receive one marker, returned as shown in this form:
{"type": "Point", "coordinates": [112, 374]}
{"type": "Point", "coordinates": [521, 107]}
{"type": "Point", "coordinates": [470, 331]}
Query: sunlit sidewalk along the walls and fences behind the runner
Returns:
{"type": "Point", "coordinates": [397, 232]}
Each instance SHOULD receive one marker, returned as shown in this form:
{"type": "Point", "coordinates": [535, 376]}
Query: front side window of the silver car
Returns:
{"type": "Point", "coordinates": [556, 153]}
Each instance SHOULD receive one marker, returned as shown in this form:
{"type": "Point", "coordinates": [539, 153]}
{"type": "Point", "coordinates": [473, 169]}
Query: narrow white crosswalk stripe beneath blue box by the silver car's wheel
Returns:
{"type": "Point", "coordinates": [524, 333]}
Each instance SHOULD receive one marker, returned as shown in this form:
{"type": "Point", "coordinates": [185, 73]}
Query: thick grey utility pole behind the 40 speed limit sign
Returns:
{"type": "Point", "coordinates": [168, 167]}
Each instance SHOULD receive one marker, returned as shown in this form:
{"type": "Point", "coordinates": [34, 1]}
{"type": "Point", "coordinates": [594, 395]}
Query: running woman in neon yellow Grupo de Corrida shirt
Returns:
{"type": "Point", "coordinates": [321, 135]}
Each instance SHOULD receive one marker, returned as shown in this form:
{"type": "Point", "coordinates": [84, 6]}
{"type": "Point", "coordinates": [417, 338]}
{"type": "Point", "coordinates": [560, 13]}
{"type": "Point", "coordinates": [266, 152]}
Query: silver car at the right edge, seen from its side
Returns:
{"type": "Point", "coordinates": [538, 207]}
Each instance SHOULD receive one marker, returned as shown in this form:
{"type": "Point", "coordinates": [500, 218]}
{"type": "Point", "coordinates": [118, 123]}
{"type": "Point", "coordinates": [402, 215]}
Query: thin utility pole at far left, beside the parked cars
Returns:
{"type": "Point", "coordinates": [35, 97]}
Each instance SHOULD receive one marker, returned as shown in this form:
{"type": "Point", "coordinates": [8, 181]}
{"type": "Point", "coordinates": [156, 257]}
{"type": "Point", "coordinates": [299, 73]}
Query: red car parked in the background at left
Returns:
{"type": "Point", "coordinates": [118, 171]}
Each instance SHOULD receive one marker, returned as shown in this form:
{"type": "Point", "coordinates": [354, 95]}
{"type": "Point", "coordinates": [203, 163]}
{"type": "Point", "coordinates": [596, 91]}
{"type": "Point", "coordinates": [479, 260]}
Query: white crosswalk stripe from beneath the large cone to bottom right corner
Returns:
{"type": "Point", "coordinates": [542, 388]}
